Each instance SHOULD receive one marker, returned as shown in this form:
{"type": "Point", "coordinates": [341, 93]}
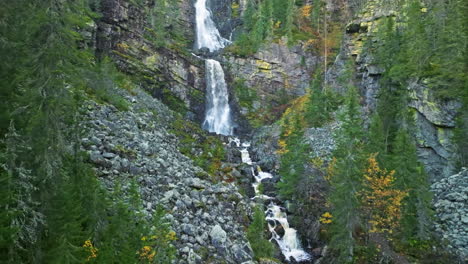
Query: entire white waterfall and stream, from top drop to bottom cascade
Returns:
{"type": "Point", "coordinates": [218, 120]}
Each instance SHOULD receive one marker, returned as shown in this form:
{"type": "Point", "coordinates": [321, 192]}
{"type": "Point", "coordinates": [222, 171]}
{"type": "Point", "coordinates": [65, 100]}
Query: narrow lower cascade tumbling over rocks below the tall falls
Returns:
{"type": "Point", "coordinates": [275, 215]}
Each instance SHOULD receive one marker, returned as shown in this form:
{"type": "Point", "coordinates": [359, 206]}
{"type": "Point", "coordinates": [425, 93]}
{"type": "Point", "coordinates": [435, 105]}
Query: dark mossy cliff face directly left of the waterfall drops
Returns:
{"type": "Point", "coordinates": [168, 73]}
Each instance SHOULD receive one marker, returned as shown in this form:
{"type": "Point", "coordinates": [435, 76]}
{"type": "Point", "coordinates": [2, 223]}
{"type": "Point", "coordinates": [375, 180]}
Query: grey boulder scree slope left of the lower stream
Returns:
{"type": "Point", "coordinates": [208, 218]}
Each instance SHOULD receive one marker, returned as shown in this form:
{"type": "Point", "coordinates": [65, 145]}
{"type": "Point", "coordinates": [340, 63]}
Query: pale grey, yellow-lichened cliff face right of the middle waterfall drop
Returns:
{"type": "Point", "coordinates": [275, 74]}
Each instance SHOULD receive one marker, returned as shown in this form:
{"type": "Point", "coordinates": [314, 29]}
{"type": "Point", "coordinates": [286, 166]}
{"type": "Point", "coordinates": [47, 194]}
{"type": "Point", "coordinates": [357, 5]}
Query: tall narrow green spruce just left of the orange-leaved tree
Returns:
{"type": "Point", "coordinates": [346, 182]}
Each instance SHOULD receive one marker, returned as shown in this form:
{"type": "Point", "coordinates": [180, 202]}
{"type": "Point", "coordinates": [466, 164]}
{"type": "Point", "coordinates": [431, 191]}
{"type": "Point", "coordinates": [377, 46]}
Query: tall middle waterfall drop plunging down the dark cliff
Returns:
{"type": "Point", "coordinates": [218, 112]}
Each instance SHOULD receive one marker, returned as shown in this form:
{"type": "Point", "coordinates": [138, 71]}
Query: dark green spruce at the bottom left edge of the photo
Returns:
{"type": "Point", "coordinates": [20, 218]}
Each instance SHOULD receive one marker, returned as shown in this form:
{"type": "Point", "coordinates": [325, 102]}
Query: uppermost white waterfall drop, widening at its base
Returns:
{"type": "Point", "coordinates": [207, 34]}
